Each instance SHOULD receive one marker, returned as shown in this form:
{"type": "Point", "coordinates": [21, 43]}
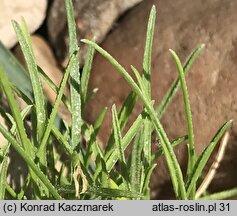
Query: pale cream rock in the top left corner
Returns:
{"type": "Point", "coordinates": [33, 11]}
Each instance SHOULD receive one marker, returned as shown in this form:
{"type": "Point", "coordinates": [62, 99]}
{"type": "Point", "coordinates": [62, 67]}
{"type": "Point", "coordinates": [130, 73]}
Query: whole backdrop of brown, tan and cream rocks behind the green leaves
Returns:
{"type": "Point", "coordinates": [181, 26]}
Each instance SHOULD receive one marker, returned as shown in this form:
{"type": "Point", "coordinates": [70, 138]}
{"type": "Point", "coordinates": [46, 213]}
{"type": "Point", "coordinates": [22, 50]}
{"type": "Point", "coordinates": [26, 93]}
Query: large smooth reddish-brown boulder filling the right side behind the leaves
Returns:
{"type": "Point", "coordinates": [211, 81]}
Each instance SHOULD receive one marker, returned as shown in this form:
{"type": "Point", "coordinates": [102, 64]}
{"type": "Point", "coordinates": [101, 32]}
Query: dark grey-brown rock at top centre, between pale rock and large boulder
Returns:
{"type": "Point", "coordinates": [94, 18]}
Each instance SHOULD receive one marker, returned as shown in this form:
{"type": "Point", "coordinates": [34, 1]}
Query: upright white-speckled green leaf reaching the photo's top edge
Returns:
{"type": "Point", "coordinates": [75, 79]}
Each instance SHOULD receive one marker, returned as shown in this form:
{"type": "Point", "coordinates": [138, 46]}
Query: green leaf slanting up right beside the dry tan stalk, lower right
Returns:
{"type": "Point", "coordinates": [203, 158]}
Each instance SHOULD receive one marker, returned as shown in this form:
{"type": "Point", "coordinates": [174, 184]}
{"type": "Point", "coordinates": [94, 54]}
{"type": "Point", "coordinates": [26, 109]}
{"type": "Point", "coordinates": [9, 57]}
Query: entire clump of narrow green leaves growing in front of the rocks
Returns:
{"type": "Point", "coordinates": [87, 171]}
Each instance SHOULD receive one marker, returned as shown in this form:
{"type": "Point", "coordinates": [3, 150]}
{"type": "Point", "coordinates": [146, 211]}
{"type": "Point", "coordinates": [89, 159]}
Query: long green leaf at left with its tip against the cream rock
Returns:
{"type": "Point", "coordinates": [39, 99]}
